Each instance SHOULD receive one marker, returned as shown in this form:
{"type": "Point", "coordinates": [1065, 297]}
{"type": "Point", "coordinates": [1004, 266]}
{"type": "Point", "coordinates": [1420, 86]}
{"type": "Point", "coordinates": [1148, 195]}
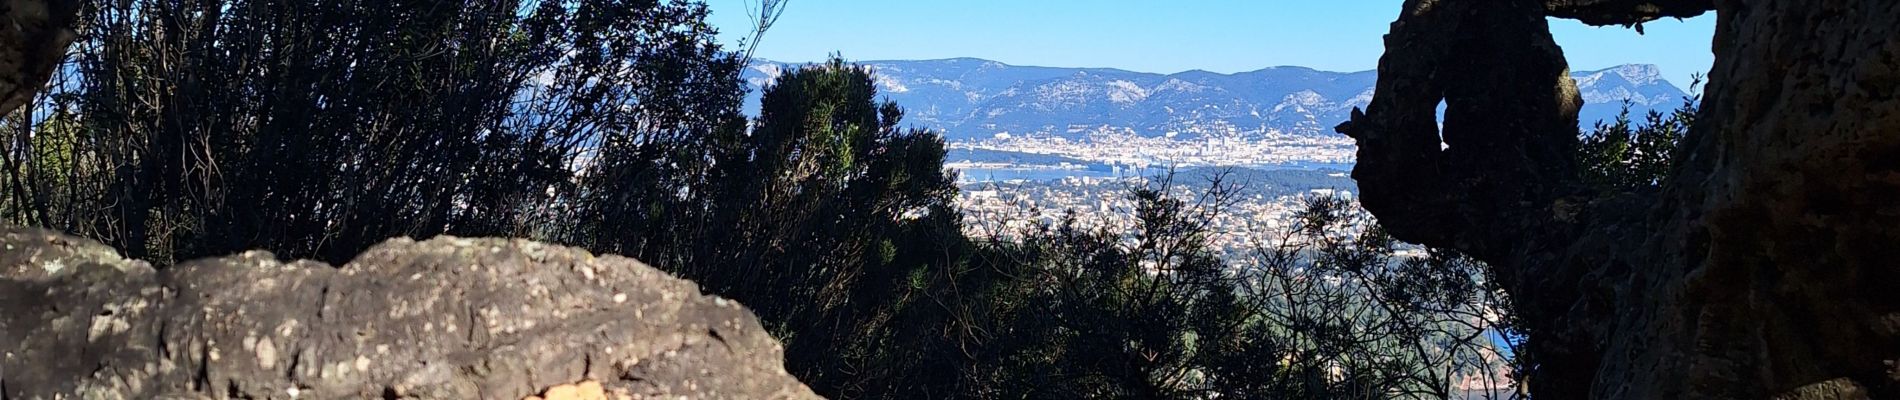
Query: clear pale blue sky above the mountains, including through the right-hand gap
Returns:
{"type": "Point", "coordinates": [1160, 35]}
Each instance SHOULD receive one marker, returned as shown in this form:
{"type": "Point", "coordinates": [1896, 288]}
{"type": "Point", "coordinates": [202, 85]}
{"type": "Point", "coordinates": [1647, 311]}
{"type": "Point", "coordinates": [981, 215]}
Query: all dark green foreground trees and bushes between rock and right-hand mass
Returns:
{"type": "Point", "coordinates": [314, 130]}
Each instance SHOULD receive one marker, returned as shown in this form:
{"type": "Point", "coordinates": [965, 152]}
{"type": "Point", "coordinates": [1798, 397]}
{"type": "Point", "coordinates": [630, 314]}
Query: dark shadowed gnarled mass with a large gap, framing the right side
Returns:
{"type": "Point", "coordinates": [1766, 268]}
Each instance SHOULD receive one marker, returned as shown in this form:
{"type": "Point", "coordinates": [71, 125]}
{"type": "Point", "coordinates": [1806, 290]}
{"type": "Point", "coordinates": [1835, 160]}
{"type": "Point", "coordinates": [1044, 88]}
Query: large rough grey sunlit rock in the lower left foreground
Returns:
{"type": "Point", "coordinates": [438, 319]}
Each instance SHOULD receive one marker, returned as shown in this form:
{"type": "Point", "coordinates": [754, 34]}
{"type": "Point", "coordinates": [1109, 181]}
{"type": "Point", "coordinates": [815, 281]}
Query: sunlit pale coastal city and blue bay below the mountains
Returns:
{"type": "Point", "coordinates": [1014, 185]}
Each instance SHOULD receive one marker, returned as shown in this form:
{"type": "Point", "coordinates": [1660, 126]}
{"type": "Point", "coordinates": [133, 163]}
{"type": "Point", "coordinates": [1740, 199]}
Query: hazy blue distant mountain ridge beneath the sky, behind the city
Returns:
{"type": "Point", "coordinates": [979, 100]}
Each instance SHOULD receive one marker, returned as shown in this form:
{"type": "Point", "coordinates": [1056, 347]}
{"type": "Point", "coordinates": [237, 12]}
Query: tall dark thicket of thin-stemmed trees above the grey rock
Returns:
{"type": "Point", "coordinates": [316, 130]}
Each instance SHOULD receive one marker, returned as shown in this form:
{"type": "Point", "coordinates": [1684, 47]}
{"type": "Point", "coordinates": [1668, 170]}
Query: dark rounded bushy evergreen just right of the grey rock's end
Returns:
{"type": "Point", "coordinates": [826, 209]}
